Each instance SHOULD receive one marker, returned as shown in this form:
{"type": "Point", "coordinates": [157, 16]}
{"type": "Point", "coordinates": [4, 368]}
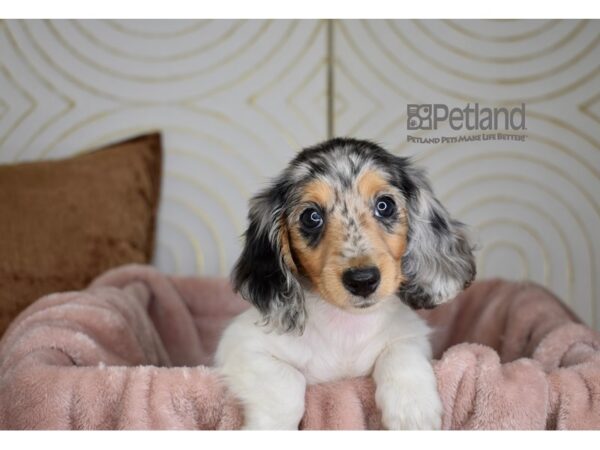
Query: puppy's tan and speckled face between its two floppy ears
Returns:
{"type": "Point", "coordinates": [347, 235]}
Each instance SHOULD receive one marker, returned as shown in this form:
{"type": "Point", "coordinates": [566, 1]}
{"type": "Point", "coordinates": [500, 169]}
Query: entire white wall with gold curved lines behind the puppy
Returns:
{"type": "Point", "coordinates": [236, 99]}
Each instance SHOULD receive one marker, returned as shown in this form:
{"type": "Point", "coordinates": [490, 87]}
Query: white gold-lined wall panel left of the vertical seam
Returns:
{"type": "Point", "coordinates": [234, 100]}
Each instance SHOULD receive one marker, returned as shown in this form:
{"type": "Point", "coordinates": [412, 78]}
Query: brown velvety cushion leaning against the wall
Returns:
{"type": "Point", "coordinates": [63, 222]}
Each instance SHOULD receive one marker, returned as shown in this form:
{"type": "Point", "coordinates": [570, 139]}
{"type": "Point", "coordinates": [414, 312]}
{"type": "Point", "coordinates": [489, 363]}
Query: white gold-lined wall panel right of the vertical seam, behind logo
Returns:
{"type": "Point", "coordinates": [535, 205]}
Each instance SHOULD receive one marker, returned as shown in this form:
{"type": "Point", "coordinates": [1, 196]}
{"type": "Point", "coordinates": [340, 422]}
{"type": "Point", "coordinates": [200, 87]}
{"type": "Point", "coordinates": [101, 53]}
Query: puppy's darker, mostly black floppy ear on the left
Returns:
{"type": "Point", "coordinates": [263, 273]}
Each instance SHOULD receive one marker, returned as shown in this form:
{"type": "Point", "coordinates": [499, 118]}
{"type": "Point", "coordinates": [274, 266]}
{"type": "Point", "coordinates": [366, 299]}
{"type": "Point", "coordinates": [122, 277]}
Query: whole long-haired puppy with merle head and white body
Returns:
{"type": "Point", "coordinates": [339, 250]}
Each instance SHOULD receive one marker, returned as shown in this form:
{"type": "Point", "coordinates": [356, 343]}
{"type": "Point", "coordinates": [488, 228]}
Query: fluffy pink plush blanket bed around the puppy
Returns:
{"type": "Point", "coordinates": [134, 351]}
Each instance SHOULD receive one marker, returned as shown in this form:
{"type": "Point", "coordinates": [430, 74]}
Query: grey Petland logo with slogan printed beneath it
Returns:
{"type": "Point", "coordinates": [470, 118]}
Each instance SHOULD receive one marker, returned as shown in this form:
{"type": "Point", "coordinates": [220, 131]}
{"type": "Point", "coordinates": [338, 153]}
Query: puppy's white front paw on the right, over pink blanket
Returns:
{"type": "Point", "coordinates": [409, 408]}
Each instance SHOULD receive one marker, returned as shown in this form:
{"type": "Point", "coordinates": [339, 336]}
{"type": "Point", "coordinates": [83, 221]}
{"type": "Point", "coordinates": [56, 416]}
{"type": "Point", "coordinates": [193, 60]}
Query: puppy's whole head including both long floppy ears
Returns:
{"type": "Point", "coordinates": [355, 224]}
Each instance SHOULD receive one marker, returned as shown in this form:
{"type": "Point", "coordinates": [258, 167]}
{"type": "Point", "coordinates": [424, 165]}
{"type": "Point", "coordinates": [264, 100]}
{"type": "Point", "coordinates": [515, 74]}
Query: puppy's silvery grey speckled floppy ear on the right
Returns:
{"type": "Point", "coordinates": [438, 262]}
